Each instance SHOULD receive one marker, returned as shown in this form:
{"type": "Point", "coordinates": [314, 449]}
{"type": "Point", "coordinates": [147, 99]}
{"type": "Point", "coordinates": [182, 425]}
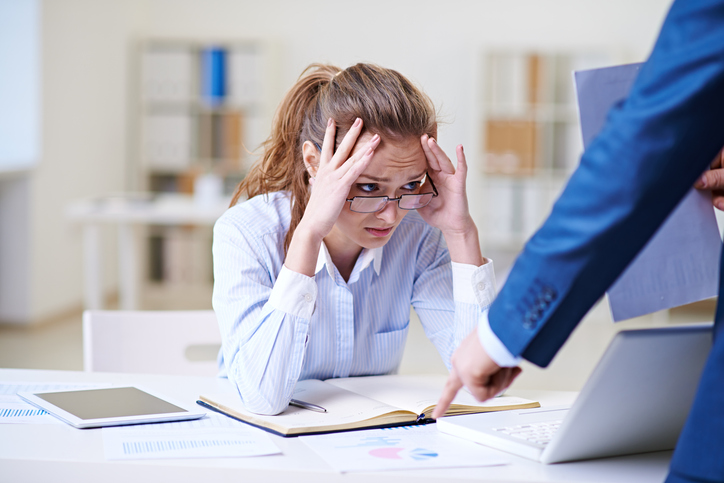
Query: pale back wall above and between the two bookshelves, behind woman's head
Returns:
{"type": "Point", "coordinates": [439, 45]}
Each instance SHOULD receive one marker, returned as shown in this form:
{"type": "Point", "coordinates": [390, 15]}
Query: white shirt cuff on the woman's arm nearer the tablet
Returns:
{"type": "Point", "coordinates": [294, 293]}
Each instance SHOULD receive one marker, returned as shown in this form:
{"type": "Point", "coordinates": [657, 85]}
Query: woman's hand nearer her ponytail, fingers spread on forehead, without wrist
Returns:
{"type": "Point", "coordinates": [334, 177]}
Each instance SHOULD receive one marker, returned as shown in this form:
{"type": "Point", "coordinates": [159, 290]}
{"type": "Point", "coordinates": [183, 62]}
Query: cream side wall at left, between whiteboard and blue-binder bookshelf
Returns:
{"type": "Point", "coordinates": [84, 151]}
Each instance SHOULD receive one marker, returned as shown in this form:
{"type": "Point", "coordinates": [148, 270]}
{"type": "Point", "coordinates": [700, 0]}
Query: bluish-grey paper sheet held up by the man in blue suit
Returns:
{"type": "Point", "coordinates": [679, 265]}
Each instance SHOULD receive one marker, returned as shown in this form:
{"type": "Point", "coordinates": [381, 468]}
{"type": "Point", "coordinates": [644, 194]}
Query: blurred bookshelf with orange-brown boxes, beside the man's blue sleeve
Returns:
{"type": "Point", "coordinates": [531, 138]}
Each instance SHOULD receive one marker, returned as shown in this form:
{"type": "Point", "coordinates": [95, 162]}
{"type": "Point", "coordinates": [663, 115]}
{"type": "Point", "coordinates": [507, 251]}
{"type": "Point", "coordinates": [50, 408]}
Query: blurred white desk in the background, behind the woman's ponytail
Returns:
{"type": "Point", "coordinates": [128, 211]}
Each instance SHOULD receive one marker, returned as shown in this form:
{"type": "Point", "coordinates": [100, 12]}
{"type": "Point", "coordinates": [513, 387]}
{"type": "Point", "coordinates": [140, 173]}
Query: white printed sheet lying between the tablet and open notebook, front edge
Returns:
{"type": "Point", "coordinates": [213, 436]}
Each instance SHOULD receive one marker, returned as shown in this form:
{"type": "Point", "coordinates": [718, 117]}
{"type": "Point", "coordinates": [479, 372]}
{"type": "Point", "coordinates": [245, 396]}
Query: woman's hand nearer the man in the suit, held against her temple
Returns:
{"type": "Point", "coordinates": [449, 210]}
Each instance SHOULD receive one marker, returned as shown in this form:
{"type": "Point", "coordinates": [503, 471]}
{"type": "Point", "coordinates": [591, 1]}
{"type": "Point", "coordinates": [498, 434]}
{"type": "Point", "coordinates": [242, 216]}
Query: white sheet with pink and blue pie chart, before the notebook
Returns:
{"type": "Point", "coordinates": [406, 447]}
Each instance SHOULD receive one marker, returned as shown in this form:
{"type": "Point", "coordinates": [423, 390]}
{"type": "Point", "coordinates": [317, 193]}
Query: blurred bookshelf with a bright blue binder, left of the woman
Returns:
{"type": "Point", "coordinates": [203, 108]}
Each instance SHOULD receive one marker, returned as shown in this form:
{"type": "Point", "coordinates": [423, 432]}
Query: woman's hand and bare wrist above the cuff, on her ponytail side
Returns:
{"type": "Point", "coordinates": [331, 184]}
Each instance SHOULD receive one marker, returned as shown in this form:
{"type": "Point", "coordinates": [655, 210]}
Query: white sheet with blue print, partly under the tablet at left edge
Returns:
{"type": "Point", "coordinates": [14, 410]}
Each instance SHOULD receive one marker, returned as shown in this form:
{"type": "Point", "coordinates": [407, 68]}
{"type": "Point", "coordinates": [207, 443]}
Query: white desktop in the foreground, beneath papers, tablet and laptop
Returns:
{"type": "Point", "coordinates": [60, 453]}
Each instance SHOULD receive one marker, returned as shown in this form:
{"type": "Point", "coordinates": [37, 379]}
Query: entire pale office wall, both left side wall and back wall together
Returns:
{"type": "Point", "coordinates": [86, 90]}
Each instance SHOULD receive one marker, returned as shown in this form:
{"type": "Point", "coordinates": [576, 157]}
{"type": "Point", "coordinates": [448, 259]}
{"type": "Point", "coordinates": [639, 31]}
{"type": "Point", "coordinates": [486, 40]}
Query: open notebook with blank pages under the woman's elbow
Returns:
{"type": "Point", "coordinates": [360, 402]}
